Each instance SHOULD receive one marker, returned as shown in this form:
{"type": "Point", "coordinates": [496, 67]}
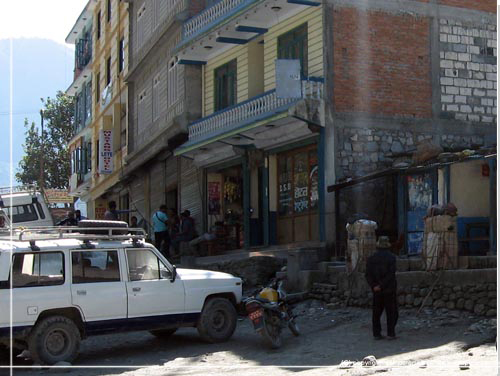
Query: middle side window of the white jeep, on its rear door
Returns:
{"type": "Point", "coordinates": [95, 266]}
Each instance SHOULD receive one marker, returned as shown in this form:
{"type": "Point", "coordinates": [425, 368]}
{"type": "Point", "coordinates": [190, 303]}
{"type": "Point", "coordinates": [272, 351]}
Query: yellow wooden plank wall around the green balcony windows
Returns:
{"type": "Point", "coordinates": [313, 17]}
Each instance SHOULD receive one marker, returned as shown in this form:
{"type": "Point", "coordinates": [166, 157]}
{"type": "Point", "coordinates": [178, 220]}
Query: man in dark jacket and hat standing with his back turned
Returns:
{"type": "Point", "coordinates": [381, 276]}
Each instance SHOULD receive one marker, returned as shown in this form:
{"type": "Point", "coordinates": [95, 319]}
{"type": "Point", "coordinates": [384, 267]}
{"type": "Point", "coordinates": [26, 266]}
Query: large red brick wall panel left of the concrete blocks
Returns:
{"type": "Point", "coordinates": [378, 71]}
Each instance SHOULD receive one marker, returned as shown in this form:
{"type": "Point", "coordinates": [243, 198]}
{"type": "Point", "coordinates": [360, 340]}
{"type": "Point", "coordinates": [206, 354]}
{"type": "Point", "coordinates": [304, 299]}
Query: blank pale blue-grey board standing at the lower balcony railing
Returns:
{"type": "Point", "coordinates": [288, 84]}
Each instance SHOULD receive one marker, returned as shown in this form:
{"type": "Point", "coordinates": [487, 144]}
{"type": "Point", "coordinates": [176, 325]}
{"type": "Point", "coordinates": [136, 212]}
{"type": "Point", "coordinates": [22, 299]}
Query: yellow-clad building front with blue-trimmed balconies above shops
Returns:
{"type": "Point", "coordinates": [259, 143]}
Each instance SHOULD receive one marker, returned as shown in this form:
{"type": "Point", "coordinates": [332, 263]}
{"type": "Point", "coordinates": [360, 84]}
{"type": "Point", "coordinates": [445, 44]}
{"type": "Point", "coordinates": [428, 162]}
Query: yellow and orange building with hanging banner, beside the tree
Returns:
{"type": "Point", "coordinates": [100, 143]}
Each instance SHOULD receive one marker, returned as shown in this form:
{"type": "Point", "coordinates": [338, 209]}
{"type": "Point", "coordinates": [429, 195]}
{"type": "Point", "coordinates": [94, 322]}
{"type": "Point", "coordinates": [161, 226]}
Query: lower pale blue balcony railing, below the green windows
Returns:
{"type": "Point", "coordinates": [251, 109]}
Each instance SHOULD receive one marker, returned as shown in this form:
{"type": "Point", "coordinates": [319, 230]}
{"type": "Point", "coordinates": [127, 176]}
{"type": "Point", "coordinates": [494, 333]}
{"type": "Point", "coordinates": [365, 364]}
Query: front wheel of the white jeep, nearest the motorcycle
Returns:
{"type": "Point", "coordinates": [217, 321]}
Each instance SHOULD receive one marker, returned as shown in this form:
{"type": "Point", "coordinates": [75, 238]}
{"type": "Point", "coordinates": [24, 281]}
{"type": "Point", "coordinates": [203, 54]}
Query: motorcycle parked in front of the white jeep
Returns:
{"type": "Point", "coordinates": [269, 312]}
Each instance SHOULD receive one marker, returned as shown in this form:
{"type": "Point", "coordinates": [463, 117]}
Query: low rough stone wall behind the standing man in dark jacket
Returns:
{"type": "Point", "coordinates": [479, 298]}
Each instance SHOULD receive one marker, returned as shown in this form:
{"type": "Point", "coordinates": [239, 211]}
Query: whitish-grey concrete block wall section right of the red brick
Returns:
{"type": "Point", "coordinates": [468, 71]}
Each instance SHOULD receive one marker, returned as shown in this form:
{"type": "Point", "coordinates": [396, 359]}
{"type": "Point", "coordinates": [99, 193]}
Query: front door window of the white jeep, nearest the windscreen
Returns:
{"type": "Point", "coordinates": [144, 265]}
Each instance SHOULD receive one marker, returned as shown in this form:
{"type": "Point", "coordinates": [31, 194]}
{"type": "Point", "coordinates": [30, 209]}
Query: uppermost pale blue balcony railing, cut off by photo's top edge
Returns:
{"type": "Point", "coordinates": [211, 15]}
